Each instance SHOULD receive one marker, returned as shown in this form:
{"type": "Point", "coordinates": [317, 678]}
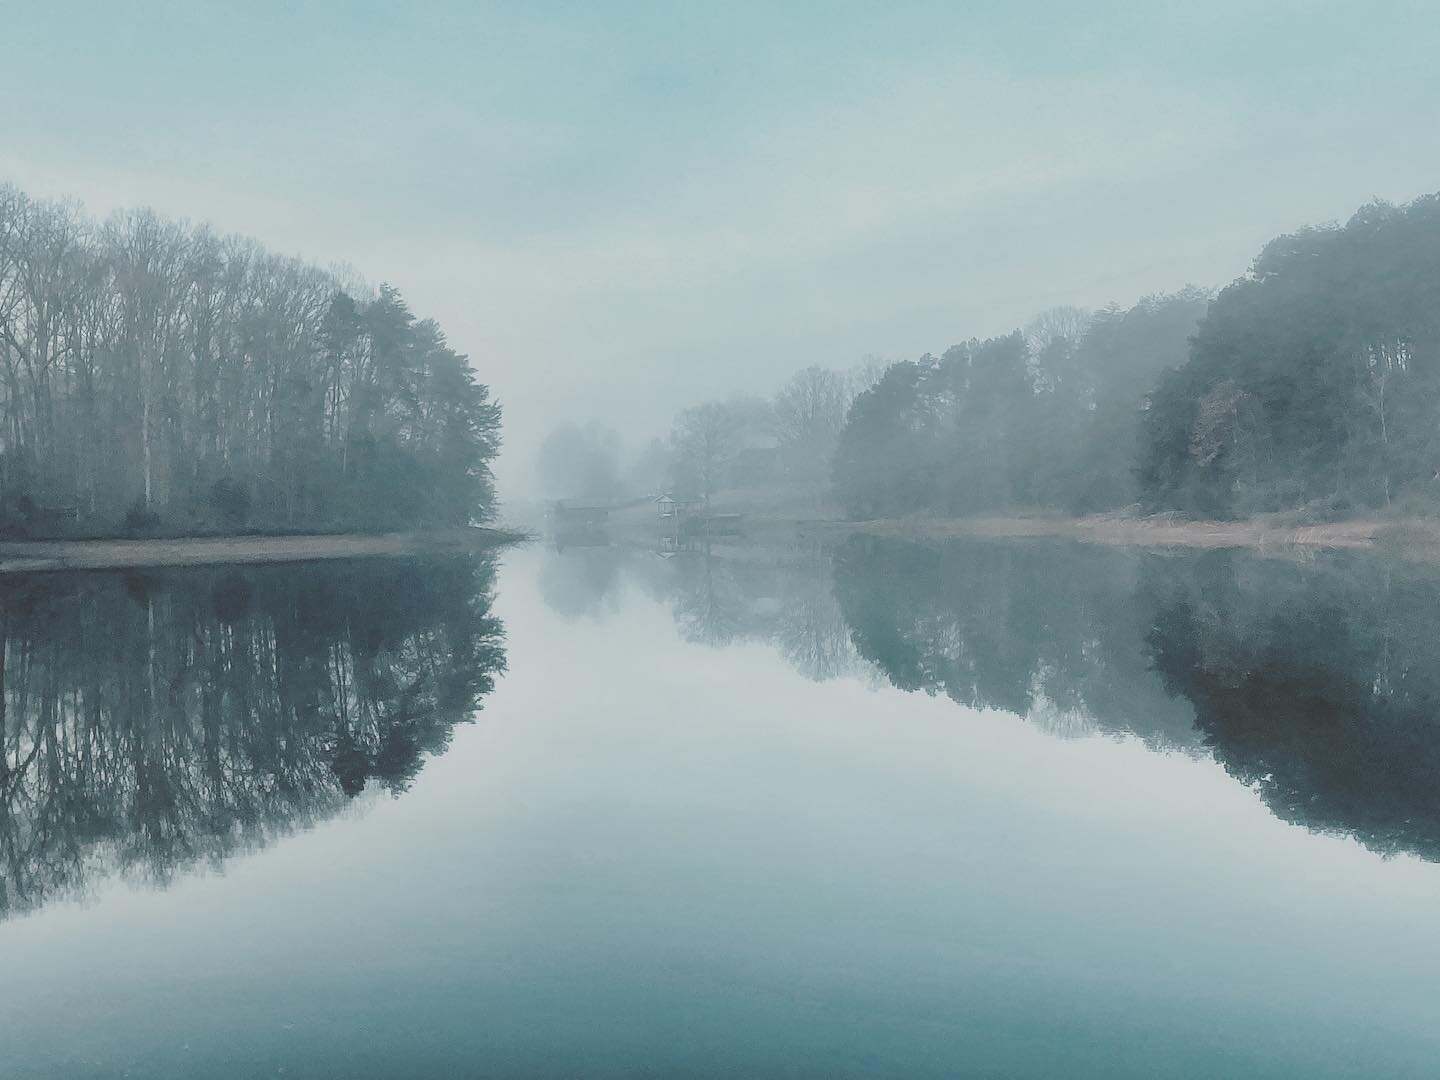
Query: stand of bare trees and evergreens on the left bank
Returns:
{"type": "Point", "coordinates": [158, 378]}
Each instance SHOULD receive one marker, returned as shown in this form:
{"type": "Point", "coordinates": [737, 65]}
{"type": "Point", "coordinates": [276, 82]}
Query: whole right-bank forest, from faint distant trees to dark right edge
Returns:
{"type": "Point", "coordinates": [1311, 385]}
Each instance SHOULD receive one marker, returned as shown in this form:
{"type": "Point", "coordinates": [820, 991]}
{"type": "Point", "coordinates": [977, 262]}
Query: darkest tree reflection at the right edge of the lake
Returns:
{"type": "Point", "coordinates": [1318, 685]}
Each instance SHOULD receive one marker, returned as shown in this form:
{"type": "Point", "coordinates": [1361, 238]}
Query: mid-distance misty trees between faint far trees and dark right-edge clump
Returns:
{"type": "Point", "coordinates": [1048, 417]}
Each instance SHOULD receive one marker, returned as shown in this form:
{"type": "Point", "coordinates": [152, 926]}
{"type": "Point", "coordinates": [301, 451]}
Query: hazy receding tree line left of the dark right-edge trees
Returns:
{"type": "Point", "coordinates": [1048, 415]}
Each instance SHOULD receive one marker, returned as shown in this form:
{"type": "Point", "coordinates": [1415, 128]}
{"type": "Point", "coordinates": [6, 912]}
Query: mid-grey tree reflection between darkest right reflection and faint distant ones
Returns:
{"type": "Point", "coordinates": [1052, 633]}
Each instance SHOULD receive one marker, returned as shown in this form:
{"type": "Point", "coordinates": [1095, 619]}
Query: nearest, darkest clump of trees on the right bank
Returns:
{"type": "Point", "coordinates": [1314, 381]}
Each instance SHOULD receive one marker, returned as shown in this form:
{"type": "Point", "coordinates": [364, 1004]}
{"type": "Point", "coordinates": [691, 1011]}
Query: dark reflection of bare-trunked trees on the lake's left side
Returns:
{"type": "Point", "coordinates": [156, 722]}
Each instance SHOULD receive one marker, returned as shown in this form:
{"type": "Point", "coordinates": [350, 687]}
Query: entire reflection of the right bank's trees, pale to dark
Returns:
{"type": "Point", "coordinates": [1317, 683]}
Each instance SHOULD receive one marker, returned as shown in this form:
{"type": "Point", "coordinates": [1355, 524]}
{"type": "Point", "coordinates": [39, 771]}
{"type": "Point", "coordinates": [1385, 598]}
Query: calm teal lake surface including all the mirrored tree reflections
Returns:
{"type": "Point", "coordinates": [879, 811]}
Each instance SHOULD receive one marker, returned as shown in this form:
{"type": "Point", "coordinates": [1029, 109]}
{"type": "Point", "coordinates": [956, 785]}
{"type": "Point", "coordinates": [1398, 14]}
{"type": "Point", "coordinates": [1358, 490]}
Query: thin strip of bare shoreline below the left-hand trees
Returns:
{"type": "Point", "coordinates": [37, 557]}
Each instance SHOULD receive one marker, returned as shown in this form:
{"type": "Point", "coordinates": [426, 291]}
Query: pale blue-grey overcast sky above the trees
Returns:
{"type": "Point", "coordinates": [618, 210]}
